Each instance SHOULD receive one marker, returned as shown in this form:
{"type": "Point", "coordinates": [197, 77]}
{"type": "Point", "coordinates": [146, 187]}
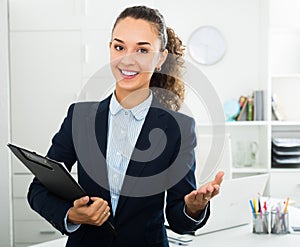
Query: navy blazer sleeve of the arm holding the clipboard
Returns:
{"type": "Point", "coordinates": [48, 205]}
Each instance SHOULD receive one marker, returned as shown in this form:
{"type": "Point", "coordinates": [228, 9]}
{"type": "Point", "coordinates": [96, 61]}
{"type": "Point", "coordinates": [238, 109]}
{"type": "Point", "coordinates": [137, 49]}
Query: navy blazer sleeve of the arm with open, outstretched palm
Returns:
{"type": "Point", "coordinates": [178, 221]}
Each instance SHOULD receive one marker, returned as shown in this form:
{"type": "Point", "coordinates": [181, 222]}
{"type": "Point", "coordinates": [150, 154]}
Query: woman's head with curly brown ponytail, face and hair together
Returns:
{"type": "Point", "coordinates": [155, 48]}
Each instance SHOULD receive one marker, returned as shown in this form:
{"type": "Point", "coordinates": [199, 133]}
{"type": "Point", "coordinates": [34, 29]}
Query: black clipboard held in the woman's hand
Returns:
{"type": "Point", "coordinates": [52, 174]}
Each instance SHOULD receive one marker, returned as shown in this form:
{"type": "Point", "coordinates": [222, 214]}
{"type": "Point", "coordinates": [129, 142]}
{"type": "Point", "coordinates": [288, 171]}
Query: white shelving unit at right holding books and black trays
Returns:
{"type": "Point", "coordinates": [282, 76]}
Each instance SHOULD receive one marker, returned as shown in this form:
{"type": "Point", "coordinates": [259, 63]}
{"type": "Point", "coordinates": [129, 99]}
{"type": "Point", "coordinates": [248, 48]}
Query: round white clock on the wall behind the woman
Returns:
{"type": "Point", "coordinates": [207, 45]}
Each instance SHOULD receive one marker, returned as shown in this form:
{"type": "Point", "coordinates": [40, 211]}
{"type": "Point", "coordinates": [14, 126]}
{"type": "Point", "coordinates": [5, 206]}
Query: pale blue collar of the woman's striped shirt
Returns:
{"type": "Point", "coordinates": [139, 112]}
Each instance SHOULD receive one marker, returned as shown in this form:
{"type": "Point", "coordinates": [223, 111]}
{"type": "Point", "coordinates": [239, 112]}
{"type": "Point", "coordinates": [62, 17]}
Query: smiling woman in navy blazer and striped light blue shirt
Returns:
{"type": "Point", "coordinates": [144, 53]}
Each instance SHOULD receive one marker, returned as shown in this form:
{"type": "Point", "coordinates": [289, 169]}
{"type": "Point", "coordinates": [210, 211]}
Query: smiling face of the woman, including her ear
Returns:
{"type": "Point", "coordinates": [134, 54]}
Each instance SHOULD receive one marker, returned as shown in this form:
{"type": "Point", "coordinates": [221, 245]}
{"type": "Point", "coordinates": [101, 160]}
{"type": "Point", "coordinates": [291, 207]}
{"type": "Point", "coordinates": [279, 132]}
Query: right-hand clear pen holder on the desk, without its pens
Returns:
{"type": "Point", "coordinates": [279, 223]}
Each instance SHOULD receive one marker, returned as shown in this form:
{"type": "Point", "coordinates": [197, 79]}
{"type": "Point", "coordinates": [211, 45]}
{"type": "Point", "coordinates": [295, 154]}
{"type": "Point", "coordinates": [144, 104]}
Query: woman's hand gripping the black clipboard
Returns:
{"type": "Point", "coordinates": [94, 214]}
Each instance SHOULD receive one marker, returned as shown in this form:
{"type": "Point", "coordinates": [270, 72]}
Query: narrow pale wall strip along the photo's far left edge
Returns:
{"type": "Point", "coordinates": [5, 178]}
